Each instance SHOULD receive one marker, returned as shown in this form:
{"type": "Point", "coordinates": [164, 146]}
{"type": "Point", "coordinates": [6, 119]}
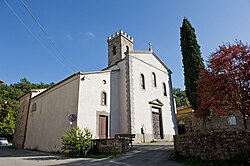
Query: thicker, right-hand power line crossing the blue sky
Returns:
{"type": "Point", "coordinates": [47, 35]}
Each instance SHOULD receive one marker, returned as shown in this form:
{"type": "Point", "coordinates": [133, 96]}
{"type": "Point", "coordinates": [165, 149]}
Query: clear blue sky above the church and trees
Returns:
{"type": "Point", "coordinates": [80, 29]}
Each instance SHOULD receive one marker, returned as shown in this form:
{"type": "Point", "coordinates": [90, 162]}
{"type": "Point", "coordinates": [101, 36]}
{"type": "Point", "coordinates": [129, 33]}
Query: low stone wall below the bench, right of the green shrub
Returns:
{"type": "Point", "coordinates": [110, 145]}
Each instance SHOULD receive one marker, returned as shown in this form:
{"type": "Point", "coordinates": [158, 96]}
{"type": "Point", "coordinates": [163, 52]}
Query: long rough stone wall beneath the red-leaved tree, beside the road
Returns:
{"type": "Point", "coordinates": [214, 145]}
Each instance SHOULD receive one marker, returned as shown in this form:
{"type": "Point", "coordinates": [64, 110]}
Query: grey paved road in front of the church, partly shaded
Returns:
{"type": "Point", "coordinates": [145, 155]}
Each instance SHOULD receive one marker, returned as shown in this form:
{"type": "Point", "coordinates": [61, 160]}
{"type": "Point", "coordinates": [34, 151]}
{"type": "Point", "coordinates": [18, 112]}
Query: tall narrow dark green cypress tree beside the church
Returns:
{"type": "Point", "coordinates": [192, 61]}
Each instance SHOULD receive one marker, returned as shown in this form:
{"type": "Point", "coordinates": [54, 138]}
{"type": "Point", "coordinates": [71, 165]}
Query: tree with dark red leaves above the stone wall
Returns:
{"type": "Point", "coordinates": [224, 88]}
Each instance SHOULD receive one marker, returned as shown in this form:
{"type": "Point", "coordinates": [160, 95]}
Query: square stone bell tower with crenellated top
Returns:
{"type": "Point", "coordinates": [119, 45]}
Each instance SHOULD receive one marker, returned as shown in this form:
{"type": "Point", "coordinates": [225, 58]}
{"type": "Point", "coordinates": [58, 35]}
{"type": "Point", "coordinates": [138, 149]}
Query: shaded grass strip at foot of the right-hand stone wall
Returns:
{"type": "Point", "coordinates": [195, 161]}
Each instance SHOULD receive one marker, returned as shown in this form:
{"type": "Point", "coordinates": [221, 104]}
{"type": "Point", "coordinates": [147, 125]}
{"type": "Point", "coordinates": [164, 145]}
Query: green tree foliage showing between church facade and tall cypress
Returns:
{"type": "Point", "coordinates": [181, 98]}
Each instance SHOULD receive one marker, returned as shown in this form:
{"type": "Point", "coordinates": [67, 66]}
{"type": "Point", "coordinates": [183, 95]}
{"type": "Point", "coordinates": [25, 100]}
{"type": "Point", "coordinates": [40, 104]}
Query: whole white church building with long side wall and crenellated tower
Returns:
{"type": "Point", "coordinates": [133, 95]}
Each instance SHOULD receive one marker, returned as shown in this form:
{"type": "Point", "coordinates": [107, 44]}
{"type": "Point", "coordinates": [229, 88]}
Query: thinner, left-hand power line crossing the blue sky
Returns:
{"type": "Point", "coordinates": [36, 36]}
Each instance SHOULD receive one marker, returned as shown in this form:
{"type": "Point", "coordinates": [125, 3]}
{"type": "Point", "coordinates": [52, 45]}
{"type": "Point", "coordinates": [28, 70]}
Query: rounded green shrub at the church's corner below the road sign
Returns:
{"type": "Point", "coordinates": [77, 142]}
